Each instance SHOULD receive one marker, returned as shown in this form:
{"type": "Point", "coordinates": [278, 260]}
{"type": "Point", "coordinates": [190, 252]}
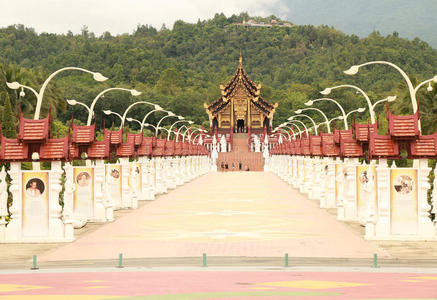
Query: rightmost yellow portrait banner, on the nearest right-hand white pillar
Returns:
{"type": "Point", "coordinates": [403, 201]}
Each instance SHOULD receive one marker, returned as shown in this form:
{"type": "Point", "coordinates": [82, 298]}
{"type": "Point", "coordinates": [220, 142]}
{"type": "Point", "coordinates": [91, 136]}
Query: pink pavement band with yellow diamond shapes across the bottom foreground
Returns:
{"type": "Point", "coordinates": [341, 285]}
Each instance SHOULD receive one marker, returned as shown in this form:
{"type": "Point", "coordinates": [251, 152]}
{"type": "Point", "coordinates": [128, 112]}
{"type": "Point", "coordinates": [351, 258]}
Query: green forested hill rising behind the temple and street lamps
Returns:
{"type": "Point", "coordinates": [182, 68]}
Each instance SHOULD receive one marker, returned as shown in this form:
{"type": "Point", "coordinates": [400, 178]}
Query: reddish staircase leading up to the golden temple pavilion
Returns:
{"type": "Point", "coordinates": [240, 153]}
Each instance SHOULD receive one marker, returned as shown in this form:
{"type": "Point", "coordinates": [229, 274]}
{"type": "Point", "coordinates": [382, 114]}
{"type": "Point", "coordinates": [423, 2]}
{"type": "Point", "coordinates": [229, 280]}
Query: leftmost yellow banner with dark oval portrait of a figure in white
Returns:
{"type": "Point", "coordinates": [35, 204]}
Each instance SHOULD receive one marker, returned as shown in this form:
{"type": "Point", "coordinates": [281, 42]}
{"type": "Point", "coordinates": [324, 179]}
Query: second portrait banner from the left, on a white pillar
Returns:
{"type": "Point", "coordinates": [83, 197]}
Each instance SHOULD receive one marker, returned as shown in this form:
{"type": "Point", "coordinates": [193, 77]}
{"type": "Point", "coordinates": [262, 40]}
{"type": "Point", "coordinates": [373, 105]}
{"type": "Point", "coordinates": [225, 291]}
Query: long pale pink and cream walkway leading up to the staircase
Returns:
{"type": "Point", "coordinates": [223, 214]}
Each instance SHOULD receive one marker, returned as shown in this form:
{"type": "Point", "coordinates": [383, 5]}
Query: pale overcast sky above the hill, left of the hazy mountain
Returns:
{"type": "Point", "coordinates": [121, 16]}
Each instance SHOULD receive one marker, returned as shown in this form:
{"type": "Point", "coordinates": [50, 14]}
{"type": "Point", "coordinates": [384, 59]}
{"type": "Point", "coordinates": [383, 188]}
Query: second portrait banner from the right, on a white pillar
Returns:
{"type": "Point", "coordinates": [366, 189]}
